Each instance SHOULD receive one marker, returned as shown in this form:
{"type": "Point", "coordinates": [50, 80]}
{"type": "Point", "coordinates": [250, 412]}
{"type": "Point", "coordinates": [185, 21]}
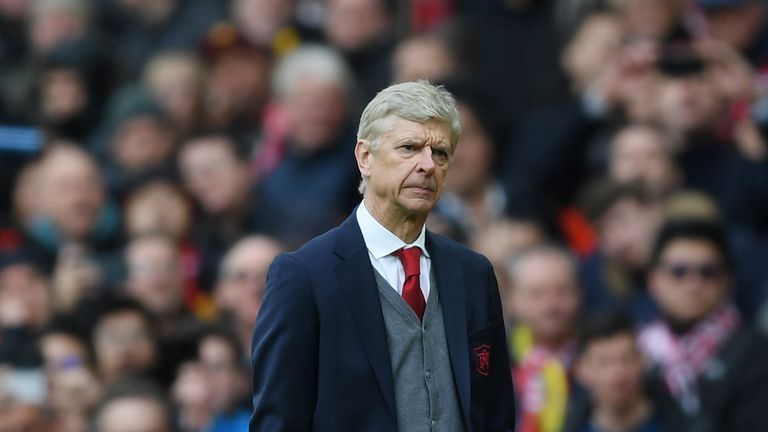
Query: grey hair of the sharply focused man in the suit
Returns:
{"type": "Point", "coordinates": [417, 101]}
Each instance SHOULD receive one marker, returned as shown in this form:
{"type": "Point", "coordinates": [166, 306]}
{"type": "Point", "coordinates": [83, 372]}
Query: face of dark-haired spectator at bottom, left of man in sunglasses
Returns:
{"type": "Point", "coordinates": [611, 369]}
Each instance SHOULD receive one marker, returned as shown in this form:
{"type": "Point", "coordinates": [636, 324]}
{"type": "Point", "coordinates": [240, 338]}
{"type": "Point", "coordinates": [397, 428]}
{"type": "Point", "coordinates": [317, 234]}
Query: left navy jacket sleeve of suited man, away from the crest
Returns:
{"type": "Point", "coordinates": [285, 351]}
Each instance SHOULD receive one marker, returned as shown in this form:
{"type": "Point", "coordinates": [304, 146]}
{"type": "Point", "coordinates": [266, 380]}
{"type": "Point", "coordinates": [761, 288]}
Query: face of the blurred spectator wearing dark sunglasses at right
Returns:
{"type": "Point", "coordinates": [690, 281]}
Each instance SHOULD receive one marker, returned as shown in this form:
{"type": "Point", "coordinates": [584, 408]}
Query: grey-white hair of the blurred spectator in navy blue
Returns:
{"type": "Point", "coordinates": [312, 61]}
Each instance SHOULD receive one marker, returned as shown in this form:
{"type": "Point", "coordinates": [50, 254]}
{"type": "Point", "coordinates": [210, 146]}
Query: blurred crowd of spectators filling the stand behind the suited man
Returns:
{"type": "Point", "coordinates": [156, 155]}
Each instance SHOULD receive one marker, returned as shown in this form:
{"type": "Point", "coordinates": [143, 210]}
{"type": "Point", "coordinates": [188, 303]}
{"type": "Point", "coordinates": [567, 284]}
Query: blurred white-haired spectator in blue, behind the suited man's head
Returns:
{"type": "Point", "coordinates": [312, 187]}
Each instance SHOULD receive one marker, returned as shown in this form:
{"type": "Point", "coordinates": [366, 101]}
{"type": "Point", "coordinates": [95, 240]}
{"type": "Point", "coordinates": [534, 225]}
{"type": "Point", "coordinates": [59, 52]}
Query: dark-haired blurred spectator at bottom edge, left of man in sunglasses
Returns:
{"type": "Point", "coordinates": [610, 366]}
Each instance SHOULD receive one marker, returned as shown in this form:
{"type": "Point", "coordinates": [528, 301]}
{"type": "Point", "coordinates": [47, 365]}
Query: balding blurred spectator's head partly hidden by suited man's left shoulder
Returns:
{"type": "Point", "coordinates": [241, 279]}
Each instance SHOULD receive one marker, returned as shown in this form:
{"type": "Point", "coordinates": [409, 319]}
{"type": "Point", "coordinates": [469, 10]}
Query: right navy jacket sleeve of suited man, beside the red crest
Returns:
{"type": "Point", "coordinates": [501, 405]}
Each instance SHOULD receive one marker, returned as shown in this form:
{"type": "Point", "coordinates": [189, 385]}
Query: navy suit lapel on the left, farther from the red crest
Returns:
{"type": "Point", "coordinates": [358, 283]}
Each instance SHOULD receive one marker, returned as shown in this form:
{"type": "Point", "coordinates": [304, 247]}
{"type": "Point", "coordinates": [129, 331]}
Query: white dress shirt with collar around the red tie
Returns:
{"type": "Point", "coordinates": [381, 243]}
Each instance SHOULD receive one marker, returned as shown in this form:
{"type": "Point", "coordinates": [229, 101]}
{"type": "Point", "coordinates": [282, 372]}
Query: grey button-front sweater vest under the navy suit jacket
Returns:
{"type": "Point", "coordinates": [425, 393]}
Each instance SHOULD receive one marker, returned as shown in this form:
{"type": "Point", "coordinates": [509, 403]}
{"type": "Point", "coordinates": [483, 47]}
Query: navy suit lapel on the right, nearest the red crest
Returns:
{"type": "Point", "coordinates": [450, 283]}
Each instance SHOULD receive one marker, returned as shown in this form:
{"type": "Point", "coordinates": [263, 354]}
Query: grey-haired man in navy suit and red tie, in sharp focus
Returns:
{"type": "Point", "coordinates": [337, 348]}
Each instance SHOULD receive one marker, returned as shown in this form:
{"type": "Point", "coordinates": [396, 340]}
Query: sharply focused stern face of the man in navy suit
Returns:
{"type": "Point", "coordinates": [406, 174]}
